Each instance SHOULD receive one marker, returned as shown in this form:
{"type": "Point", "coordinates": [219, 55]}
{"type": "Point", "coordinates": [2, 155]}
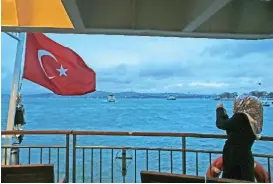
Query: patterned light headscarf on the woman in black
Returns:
{"type": "Point", "coordinates": [253, 108]}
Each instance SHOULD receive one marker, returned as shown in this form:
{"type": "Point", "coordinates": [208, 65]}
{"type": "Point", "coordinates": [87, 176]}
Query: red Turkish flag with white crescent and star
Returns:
{"type": "Point", "coordinates": [56, 67]}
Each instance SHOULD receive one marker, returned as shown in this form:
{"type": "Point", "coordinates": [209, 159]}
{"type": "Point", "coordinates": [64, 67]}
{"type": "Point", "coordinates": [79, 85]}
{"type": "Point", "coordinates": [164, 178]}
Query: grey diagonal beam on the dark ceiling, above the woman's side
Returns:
{"type": "Point", "coordinates": [206, 15]}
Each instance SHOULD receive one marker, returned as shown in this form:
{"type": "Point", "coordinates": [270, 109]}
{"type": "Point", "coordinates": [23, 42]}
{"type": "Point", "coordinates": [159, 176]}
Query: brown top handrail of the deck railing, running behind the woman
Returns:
{"type": "Point", "coordinates": [120, 133]}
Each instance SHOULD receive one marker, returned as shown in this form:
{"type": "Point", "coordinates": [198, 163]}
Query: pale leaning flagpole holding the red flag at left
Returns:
{"type": "Point", "coordinates": [13, 96]}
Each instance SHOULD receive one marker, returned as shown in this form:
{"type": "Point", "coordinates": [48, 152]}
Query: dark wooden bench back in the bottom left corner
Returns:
{"type": "Point", "coordinates": [40, 173]}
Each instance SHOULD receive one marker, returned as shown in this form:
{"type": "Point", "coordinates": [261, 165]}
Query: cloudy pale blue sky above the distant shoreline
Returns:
{"type": "Point", "coordinates": [154, 64]}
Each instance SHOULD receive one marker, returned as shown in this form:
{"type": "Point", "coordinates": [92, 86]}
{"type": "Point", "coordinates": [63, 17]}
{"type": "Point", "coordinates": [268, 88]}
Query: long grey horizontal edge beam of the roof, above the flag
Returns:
{"type": "Point", "coordinates": [136, 32]}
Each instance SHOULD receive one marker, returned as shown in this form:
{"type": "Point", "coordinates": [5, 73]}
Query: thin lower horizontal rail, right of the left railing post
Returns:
{"type": "Point", "coordinates": [163, 149]}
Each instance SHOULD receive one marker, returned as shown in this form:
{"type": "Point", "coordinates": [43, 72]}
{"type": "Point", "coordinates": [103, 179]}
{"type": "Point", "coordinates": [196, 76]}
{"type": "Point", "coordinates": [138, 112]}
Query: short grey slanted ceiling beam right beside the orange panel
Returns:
{"type": "Point", "coordinates": [73, 13]}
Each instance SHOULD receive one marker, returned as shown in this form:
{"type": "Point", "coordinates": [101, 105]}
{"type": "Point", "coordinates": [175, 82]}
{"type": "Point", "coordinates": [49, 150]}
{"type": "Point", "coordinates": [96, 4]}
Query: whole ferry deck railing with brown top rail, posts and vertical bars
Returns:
{"type": "Point", "coordinates": [75, 134]}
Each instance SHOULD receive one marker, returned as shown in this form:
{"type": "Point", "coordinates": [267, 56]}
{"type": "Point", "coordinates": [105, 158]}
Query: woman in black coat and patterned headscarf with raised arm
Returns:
{"type": "Point", "coordinates": [242, 129]}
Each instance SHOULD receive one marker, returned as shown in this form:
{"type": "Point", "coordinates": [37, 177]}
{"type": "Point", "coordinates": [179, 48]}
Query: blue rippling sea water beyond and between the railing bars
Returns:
{"type": "Point", "coordinates": [146, 115]}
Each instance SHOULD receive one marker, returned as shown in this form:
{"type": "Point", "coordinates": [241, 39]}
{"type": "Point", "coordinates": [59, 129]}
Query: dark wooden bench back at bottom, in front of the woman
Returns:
{"type": "Point", "coordinates": [160, 177]}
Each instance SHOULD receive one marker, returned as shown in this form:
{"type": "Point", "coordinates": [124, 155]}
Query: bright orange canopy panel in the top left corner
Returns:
{"type": "Point", "coordinates": [34, 13]}
